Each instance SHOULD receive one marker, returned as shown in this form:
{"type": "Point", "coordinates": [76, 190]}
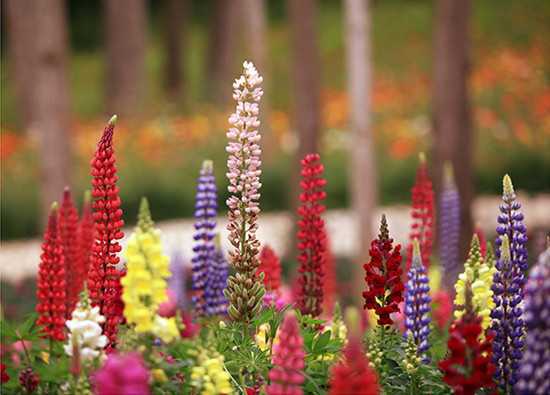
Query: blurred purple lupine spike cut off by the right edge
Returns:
{"type": "Point", "coordinates": [534, 370]}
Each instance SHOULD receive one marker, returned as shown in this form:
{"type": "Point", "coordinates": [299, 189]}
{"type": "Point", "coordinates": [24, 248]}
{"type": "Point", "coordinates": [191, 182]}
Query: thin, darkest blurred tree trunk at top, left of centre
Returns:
{"type": "Point", "coordinates": [174, 19]}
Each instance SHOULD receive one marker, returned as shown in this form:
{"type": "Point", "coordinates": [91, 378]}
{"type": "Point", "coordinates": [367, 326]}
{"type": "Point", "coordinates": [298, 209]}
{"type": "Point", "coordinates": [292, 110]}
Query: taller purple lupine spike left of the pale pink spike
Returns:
{"type": "Point", "coordinates": [205, 222]}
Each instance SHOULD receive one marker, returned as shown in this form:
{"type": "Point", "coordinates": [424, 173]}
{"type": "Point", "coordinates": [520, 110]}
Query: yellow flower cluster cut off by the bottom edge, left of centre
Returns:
{"type": "Point", "coordinates": [209, 377]}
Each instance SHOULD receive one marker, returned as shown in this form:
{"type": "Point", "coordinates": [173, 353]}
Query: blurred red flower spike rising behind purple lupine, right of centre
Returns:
{"type": "Point", "coordinates": [422, 227]}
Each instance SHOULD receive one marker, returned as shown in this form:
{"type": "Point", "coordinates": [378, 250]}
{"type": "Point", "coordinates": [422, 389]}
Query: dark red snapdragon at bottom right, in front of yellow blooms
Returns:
{"type": "Point", "coordinates": [468, 366]}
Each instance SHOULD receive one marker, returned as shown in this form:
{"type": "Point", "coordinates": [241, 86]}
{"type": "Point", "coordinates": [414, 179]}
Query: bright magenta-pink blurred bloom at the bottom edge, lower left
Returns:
{"type": "Point", "coordinates": [122, 374]}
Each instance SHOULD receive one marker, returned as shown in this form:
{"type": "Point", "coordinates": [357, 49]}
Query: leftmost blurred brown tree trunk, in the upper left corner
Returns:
{"type": "Point", "coordinates": [21, 39]}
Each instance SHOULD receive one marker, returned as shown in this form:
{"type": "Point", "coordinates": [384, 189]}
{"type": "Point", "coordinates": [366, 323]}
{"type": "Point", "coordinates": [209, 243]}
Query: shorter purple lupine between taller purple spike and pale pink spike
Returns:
{"type": "Point", "coordinates": [216, 281]}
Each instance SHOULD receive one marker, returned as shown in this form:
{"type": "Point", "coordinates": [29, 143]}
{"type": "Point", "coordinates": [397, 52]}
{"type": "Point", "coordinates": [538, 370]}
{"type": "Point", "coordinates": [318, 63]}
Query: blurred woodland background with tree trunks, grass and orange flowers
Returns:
{"type": "Point", "coordinates": [368, 84]}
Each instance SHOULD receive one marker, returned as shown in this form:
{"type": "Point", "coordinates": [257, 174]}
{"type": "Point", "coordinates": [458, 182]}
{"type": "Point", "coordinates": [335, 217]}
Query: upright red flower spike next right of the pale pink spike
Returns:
{"type": "Point", "coordinates": [311, 236]}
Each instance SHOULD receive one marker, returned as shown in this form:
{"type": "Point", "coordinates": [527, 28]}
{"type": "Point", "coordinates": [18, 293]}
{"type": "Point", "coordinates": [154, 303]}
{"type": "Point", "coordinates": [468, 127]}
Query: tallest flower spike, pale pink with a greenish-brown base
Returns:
{"type": "Point", "coordinates": [244, 291]}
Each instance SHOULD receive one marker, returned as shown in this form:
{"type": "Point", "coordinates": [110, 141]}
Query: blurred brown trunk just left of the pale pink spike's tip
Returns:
{"type": "Point", "coordinates": [220, 51]}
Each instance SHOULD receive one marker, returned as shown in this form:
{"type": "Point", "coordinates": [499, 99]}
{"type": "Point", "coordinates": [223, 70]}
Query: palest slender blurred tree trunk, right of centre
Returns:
{"type": "Point", "coordinates": [363, 180]}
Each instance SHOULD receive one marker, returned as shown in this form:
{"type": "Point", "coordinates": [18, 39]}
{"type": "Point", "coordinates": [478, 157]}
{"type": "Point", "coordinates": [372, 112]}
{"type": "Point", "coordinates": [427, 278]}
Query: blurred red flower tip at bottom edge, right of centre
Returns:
{"type": "Point", "coordinates": [353, 375]}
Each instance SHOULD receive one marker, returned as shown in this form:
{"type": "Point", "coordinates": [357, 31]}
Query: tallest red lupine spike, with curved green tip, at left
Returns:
{"type": "Point", "coordinates": [103, 275]}
